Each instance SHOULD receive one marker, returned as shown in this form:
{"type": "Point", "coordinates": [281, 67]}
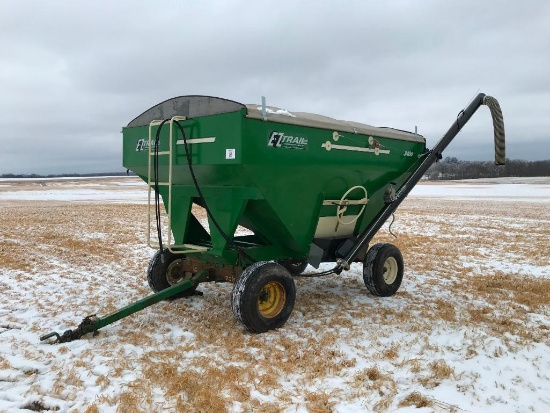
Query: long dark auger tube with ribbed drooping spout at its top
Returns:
{"type": "Point", "coordinates": [430, 158]}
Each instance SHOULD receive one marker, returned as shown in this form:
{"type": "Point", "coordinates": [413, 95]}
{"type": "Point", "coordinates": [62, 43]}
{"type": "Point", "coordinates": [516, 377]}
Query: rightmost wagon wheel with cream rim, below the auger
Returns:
{"type": "Point", "coordinates": [383, 270]}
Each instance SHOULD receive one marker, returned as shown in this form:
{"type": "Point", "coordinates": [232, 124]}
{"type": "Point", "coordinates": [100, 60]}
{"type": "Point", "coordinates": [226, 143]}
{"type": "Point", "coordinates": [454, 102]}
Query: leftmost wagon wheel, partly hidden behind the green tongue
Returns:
{"type": "Point", "coordinates": [161, 275]}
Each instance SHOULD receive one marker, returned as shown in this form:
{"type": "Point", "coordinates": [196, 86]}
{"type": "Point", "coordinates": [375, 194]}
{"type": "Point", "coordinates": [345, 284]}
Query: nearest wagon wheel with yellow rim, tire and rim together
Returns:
{"type": "Point", "coordinates": [263, 296]}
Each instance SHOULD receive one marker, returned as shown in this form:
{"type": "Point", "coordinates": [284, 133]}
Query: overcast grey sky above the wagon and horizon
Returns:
{"type": "Point", "coordinates": [73, 73]}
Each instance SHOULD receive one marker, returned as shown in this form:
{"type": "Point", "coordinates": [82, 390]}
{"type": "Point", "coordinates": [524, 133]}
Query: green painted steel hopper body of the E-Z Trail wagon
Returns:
{"type": "Point", "coordinates": [270, 177]}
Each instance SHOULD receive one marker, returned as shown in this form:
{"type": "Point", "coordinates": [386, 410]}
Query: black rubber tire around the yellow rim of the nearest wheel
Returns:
{"type": "Point", "coordinates": [244, 297]}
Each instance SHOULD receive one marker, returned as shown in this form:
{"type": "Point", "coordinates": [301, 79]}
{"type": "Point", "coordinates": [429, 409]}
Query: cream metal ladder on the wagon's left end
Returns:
{"type": "Point", "coordinates": [173, 248]}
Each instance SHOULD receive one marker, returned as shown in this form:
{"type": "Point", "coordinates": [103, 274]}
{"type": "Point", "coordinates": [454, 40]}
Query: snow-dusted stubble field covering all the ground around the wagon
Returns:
{"type": "Point", "coordinates": [469, 330]}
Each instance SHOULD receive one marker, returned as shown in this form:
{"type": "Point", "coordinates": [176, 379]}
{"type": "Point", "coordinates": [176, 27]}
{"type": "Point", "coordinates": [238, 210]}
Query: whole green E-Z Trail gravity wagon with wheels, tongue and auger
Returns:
{"type": "Point", "coordinates": [279, 191]}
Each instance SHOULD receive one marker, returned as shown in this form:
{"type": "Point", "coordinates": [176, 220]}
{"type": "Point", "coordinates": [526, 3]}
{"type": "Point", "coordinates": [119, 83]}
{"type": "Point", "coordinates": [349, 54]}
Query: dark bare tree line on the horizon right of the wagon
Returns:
{"type": "Point", "coordinates": [452, 168]}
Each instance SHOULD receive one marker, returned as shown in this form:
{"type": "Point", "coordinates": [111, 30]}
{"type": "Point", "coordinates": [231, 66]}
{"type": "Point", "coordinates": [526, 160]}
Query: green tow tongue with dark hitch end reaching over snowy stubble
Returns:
{"type": "Point", "coordinates": [92, 323]}
